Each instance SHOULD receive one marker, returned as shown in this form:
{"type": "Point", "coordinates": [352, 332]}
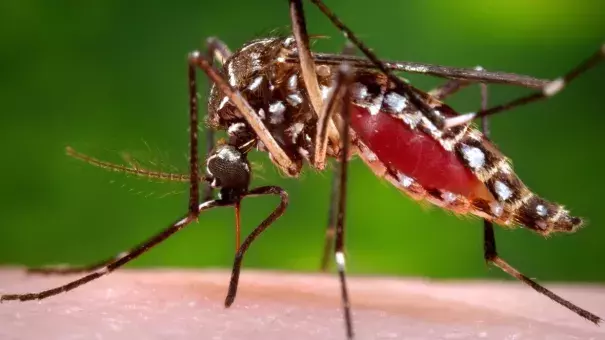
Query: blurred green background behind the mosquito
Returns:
{"type": "Point", "coordinates": [109, 77]}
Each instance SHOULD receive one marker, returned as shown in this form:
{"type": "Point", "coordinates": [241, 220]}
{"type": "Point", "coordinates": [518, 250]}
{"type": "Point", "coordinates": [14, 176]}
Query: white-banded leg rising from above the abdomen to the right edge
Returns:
{"type": "Point", "coordinates": [549, 90]}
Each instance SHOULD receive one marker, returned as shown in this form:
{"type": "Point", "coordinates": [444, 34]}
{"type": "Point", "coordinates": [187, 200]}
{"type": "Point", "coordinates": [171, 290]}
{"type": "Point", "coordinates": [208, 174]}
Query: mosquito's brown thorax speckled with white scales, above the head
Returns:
{"type": "Point", "coordinates": [276, 91]}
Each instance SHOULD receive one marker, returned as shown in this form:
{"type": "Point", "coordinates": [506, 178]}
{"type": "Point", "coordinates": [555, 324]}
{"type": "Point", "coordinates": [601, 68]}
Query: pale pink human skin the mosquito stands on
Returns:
{"type": "Point", "coordinates": [188, 304]}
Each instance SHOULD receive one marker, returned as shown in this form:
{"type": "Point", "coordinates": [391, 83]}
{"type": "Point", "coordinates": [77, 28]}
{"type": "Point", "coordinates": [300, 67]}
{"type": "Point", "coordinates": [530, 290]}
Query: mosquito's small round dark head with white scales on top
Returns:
{"type": "Point", "coordinates": [228, 168]}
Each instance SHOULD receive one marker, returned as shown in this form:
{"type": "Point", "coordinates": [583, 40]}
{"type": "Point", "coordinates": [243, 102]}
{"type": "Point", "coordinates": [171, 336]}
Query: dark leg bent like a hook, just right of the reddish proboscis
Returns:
{"type": "Point", "coordinates": [239, 256]}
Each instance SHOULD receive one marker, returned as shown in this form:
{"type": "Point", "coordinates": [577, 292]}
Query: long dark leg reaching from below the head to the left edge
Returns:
{"type": "Point", "coordinates": [119, 261]}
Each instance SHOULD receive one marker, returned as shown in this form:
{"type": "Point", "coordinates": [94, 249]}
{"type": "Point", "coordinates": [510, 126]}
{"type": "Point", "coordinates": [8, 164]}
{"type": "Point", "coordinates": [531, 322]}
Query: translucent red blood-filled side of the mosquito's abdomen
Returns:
{"type": "Point", "coordinates": [414, 153]}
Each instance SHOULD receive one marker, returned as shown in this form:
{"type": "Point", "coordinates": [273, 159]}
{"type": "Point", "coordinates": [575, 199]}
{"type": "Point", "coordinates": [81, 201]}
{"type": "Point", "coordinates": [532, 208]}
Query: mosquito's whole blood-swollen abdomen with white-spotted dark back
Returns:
{"type": "Point", "coordinates": [458, 169]}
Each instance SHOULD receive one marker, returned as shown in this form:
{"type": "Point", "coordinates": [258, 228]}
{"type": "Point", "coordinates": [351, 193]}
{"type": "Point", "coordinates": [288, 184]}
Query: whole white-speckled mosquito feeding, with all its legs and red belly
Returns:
{"type": "Point", "coordinates": [274, 95]}
